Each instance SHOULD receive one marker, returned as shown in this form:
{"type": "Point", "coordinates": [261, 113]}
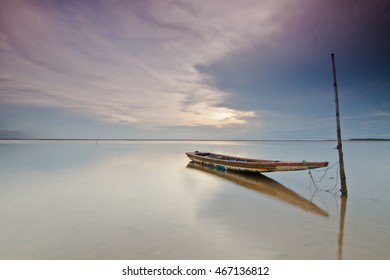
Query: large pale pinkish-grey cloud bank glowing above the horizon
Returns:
{"type": "Point", "coordinates": [128, 61]}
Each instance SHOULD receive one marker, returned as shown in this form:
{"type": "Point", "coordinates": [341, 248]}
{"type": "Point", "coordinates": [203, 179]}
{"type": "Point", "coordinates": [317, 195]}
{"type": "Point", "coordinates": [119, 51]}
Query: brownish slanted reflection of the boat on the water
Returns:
{"type": "Point", "coordinates": [263, 184]}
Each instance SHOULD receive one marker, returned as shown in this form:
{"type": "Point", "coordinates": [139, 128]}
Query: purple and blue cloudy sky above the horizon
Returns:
{"type": "Point", "coordinates": [183, 69]}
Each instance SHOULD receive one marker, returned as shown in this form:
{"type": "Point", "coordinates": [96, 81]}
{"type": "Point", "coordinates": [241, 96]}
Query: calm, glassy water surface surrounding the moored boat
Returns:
{"type": "Point", "coordinates": [143, 200]}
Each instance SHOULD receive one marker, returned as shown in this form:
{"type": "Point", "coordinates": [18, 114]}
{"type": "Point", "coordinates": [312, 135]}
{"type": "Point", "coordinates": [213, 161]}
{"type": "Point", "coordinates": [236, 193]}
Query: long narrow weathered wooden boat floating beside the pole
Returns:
{"type": "Point", "coordinates": [251, 165]}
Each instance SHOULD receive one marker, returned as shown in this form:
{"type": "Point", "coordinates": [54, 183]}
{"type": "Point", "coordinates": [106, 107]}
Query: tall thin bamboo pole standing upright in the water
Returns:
{"type": "Point", "coordinates": [343, 189]}
